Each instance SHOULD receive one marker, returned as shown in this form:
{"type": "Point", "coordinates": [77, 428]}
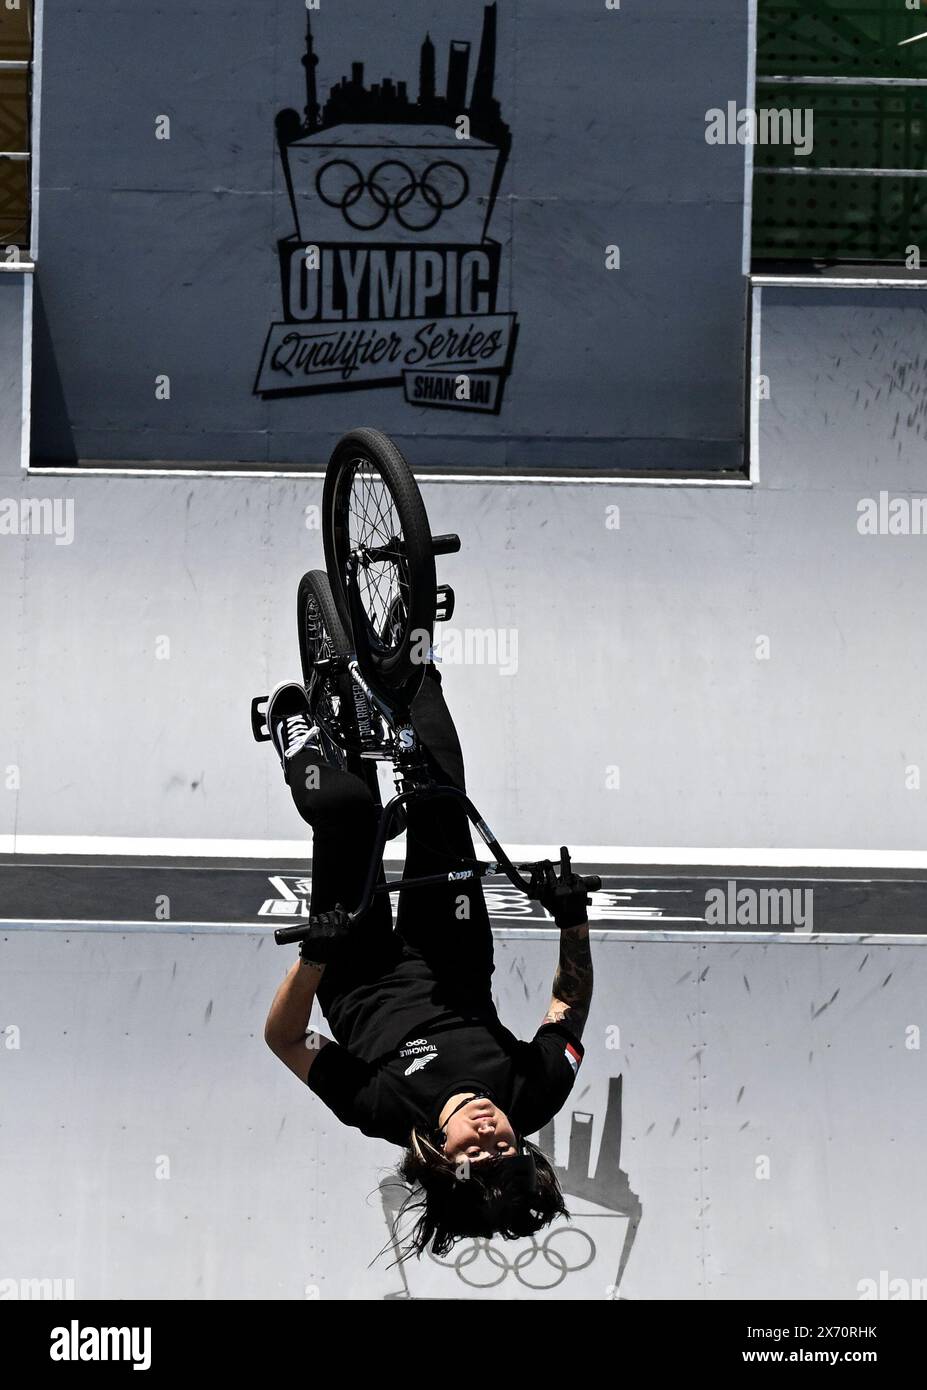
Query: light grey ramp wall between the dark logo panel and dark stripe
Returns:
{"type": "Point", "coordinates": [637, 647]}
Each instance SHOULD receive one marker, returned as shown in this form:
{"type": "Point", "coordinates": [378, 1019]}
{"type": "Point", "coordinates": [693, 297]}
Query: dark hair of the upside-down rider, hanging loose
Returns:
{"type": "Point", "coordinates": [455, 1199]}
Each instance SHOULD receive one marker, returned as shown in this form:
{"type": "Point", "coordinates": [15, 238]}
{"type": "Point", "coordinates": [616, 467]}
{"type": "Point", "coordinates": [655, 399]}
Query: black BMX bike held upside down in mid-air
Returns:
{"type": "Point", "coordinates": [366, 632]}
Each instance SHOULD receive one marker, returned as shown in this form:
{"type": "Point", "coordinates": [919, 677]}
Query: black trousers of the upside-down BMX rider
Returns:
{"type": "Point", "coordinates": [434, 933]}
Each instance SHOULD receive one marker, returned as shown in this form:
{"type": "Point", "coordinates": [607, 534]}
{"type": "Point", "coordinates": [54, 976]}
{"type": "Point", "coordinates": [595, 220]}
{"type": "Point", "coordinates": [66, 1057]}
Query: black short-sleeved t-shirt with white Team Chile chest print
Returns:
{"type": "Point", "coordinates": [530, 1082]}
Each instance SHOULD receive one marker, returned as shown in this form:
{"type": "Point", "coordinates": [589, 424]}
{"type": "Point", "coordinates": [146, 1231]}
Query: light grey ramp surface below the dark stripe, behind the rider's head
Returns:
{"type": "Point", "coordinates": [735, 1139]}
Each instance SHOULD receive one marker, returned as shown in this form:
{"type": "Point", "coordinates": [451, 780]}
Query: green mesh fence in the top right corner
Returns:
{"type": "Point", "coordinates": [858, 127]}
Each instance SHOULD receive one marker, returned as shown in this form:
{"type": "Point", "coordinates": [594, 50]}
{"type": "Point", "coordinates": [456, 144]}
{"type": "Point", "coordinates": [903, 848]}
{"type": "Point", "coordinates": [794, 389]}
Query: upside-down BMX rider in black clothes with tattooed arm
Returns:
{"type": "Point", "coordinates": [419, 1056]}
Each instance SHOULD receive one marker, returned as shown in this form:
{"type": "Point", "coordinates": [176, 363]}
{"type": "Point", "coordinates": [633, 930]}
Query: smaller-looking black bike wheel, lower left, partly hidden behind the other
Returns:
{"type": "Point", "coordinates": [320, 628]}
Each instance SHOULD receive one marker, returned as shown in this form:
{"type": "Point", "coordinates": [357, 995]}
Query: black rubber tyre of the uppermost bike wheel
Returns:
{"type": "Point", "coordinates": [397, 664]}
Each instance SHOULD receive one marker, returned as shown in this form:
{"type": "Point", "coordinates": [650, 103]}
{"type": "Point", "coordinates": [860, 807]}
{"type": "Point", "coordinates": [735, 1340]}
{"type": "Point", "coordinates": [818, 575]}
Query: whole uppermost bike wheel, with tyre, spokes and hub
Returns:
{"type": "Point", "coordinates": [375, 522]}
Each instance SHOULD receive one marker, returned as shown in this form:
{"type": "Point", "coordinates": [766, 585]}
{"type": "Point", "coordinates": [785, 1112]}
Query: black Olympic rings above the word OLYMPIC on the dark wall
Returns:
{"type": "Point", "coordinates": [391, 187]}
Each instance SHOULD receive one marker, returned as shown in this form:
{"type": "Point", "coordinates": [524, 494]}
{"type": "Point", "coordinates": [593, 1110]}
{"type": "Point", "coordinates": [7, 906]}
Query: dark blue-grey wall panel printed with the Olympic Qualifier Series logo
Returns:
{"type": "Point", "coordinates": [159, 258]}
